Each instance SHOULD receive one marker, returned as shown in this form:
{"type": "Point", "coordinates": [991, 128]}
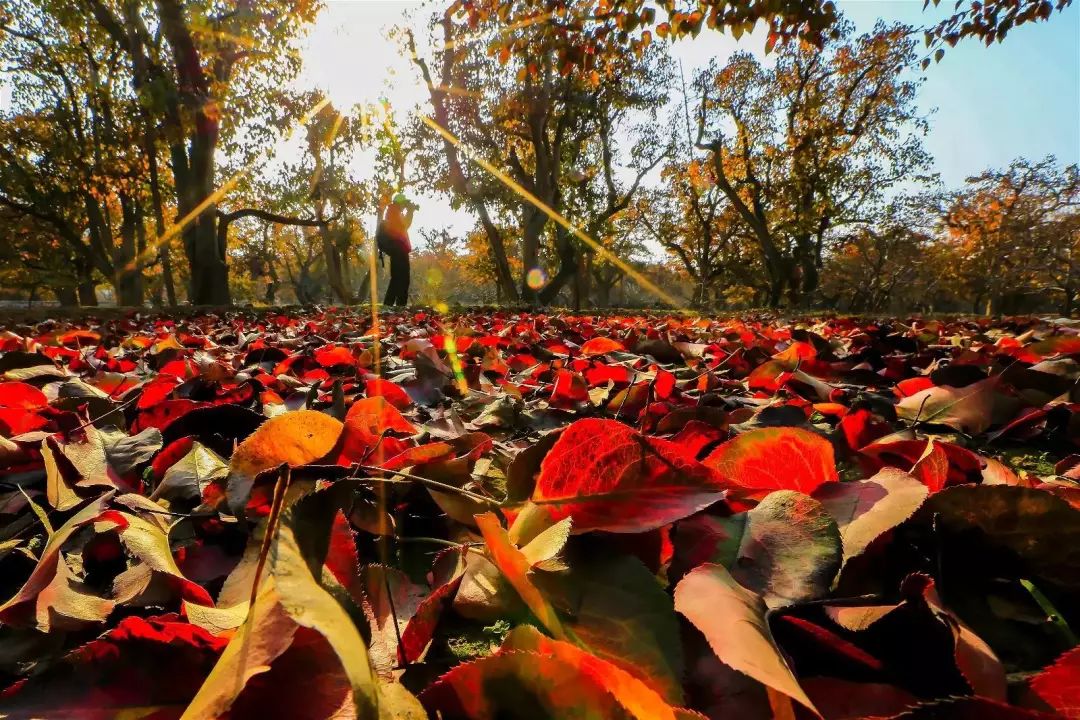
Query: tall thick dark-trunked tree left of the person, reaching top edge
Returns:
{"type": "Point", "coordinates": [199, 72]}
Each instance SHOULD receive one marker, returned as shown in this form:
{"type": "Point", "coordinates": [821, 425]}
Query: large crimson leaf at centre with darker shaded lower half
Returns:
{"type": "Point", "coordinates": [609, 477]}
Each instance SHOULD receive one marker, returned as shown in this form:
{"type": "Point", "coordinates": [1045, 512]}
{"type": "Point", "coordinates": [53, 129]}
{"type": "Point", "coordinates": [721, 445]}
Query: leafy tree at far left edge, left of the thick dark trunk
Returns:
{"type": "Point", "coordinates": [72, 152]}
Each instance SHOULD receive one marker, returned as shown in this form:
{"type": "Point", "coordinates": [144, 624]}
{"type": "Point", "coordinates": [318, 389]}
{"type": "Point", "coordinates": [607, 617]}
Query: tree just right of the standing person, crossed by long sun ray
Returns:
{"type": "Point", "coordinates": [559, 138]}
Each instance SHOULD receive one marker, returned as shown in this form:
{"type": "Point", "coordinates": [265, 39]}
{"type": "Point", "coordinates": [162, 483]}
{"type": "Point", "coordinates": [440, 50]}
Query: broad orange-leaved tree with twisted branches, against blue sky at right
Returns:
{"type": "Point", "coordinates": [806, 147]}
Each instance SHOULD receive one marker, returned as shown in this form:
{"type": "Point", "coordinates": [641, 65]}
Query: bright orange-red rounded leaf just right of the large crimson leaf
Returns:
{"type": "Point", "coordinates": [776, 459]}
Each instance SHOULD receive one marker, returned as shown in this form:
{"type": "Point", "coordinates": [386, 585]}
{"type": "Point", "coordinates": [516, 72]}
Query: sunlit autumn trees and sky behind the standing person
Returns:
{"type": "Point", "coordinates": [870, 157]}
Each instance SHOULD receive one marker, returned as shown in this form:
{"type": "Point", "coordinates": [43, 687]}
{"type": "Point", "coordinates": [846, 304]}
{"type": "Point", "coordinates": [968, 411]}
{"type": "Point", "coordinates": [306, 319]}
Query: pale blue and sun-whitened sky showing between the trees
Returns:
{"type": "Point", "coordinates": [990, 105]}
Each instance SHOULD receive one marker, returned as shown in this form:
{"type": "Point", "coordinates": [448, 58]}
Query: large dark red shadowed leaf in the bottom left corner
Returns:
{"type": "Point", "coordinates": [121, 673]}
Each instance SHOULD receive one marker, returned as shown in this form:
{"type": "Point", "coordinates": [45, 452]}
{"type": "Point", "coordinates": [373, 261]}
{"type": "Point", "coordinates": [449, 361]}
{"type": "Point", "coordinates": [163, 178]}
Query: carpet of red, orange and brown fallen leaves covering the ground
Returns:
{"type": "Point", "coordinates": [502, 515]}
